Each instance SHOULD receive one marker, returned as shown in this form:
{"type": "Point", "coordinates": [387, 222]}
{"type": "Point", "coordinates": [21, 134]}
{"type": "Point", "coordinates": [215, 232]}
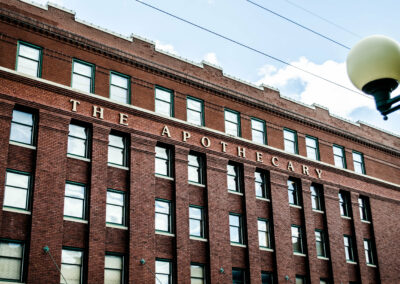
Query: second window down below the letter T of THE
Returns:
{"type": "Point", "coordinates": [75, 200]}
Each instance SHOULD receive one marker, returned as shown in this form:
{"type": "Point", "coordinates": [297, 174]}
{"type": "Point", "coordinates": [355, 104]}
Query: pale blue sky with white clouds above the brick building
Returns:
{"type": "Point", "coordinates": [345, 22]}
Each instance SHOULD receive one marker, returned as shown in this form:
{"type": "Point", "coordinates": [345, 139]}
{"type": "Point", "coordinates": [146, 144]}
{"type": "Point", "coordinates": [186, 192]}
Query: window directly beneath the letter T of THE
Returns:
{"type": "Point", "coordinates": [78, 141]}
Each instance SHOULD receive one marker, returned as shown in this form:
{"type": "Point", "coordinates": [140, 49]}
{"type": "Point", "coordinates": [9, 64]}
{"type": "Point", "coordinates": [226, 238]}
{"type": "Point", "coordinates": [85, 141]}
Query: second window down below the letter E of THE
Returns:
{"type": "Point", "coordinates": [115, 208]}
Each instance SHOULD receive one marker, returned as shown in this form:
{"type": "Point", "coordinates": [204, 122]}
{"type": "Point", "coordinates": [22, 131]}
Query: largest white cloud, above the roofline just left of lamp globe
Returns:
{"type": "Point", "coordinates": [314, 90]}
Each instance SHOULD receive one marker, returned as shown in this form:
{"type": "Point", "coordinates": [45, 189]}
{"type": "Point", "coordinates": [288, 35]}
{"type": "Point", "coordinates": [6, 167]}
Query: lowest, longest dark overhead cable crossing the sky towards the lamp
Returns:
{"type": "Point", "coordinates": [252, 49]}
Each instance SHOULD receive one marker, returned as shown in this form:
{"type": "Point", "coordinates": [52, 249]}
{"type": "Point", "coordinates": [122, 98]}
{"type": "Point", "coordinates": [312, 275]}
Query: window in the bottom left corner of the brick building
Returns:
{"type": "Point", "coordinates": [11, 260]}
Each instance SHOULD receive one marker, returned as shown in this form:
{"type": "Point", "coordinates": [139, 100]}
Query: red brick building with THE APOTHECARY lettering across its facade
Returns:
{"type": "Point", "coordinates": [121, 162]}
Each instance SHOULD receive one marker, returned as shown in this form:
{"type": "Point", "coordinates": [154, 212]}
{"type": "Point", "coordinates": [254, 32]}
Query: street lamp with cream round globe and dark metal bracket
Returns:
{"type": "Point", "coordinates": [373, 66]}
